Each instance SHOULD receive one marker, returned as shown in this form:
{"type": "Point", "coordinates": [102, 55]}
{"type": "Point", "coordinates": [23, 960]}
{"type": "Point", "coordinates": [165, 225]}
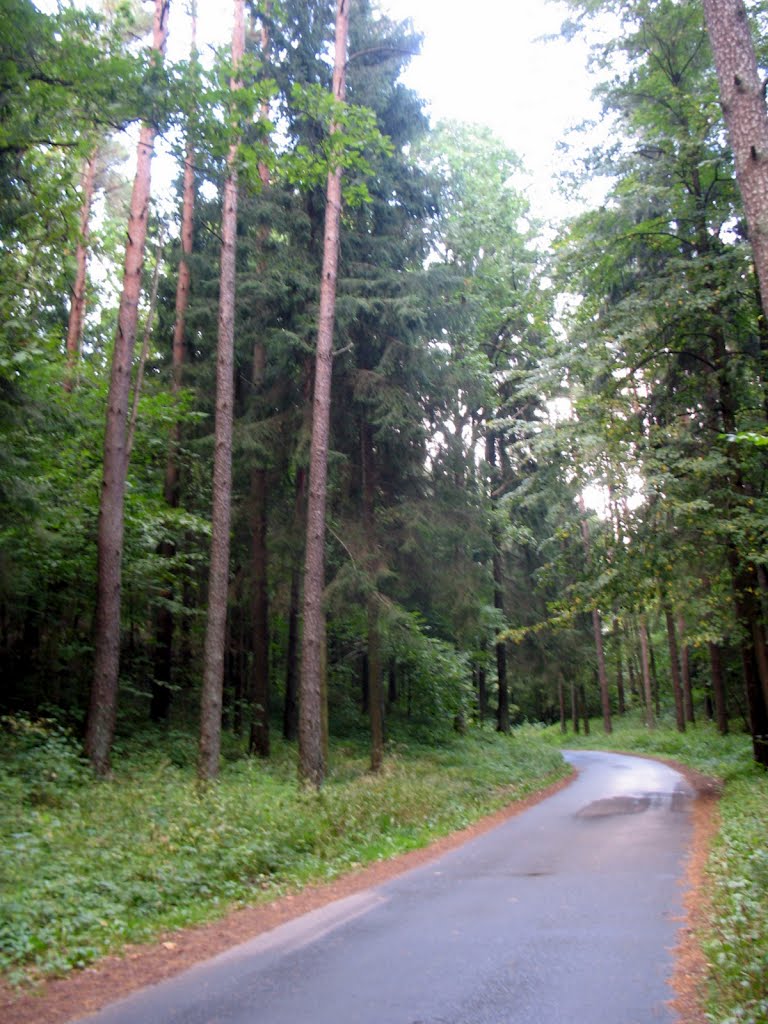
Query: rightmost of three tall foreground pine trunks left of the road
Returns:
{"type": "Point", "coordinates": [312, 761]}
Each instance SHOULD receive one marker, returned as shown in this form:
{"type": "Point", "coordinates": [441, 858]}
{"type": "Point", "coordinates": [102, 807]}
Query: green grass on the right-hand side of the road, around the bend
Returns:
{"type": "Point", "coordinates": [736, 940]}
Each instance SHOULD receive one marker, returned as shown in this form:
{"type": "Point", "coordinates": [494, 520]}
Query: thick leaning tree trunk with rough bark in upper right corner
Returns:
{"type": "Point", "coordinates": [746, 118]}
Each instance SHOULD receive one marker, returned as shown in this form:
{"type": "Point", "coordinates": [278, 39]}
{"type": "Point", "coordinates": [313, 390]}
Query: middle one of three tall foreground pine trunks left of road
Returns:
{"type": "Point", "coordinates": [219, 580]}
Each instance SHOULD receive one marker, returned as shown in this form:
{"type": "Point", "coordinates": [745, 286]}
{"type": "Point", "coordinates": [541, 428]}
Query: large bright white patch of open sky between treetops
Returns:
{"type": "Point", "coordinates": [486, 62]}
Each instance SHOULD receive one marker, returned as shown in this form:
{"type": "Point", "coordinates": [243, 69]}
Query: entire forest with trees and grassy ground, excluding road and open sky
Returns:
{"type": "Point", "coordinates": [339, 488]}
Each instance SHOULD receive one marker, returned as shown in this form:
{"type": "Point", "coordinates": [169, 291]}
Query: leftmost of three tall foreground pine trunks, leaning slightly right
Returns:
{"type": "Point", "coordinates": [104, 700]}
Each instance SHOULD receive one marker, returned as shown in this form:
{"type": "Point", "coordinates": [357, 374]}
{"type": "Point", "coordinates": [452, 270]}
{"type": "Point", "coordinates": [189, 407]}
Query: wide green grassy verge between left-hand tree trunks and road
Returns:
{"type": "Point", "coordinates": [88, 867]}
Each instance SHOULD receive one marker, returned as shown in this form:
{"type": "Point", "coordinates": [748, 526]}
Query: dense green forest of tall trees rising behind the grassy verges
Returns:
{"type": "Point", "coordinates": [546, 463]}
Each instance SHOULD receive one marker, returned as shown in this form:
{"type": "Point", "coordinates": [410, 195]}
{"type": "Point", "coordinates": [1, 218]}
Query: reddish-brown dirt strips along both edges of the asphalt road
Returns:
{"type": "Point", "coordinates": [84, 993]}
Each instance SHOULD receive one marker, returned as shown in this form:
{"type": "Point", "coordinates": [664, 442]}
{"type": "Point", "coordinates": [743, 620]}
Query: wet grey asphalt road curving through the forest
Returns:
{"type": "Point", "coordinates": [565, 915]}
